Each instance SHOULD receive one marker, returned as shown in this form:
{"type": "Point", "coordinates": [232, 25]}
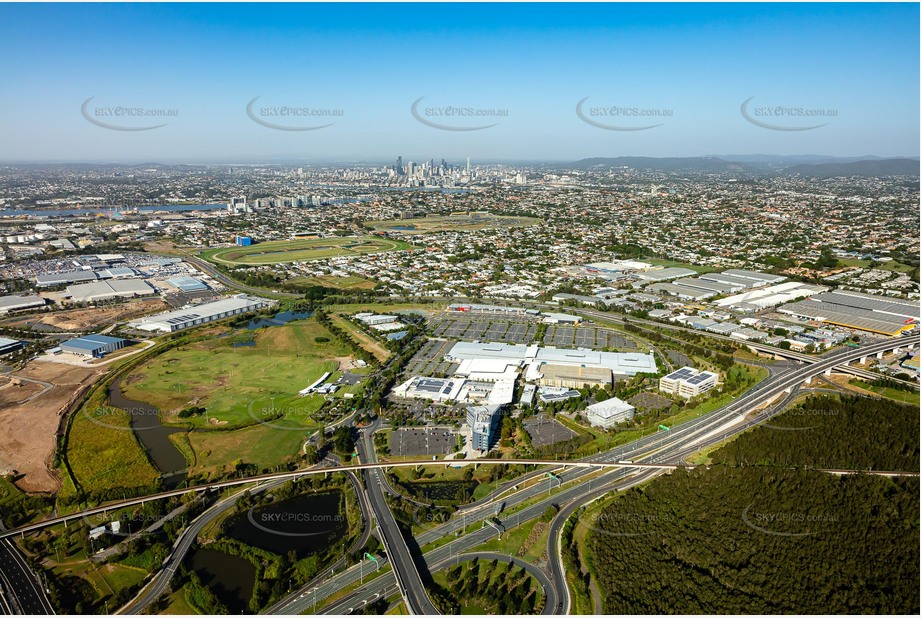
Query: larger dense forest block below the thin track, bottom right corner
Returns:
{"type": "Point", "coordinates": [762, 541]}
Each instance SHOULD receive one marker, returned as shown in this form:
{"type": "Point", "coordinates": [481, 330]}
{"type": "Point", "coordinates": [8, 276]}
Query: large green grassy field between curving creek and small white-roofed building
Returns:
{"type": "Point", "coordinates": [244, 385]}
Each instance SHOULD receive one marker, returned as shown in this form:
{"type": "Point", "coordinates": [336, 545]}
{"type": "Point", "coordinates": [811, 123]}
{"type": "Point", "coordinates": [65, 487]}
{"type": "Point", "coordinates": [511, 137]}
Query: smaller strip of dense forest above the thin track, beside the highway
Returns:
{"type": "Point", "coordinates": [828, 432]}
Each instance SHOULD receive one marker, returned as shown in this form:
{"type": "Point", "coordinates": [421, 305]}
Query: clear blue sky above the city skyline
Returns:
{"type": "Point", "coordinates": [692, 64]}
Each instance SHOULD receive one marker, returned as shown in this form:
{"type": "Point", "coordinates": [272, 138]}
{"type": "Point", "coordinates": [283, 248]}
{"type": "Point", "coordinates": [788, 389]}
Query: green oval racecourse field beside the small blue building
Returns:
{"type": "Point", "coordinates": [279, 252]}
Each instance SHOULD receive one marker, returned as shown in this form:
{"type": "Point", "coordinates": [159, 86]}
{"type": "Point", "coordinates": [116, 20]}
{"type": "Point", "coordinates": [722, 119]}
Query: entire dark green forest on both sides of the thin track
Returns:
{"type": "Point", "coordinates": [769, 538]}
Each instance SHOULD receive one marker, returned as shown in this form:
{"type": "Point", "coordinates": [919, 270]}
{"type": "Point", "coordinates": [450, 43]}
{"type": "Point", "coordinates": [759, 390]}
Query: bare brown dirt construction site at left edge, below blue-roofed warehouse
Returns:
{"type": "Point", "coordinates": [32, 401]}
